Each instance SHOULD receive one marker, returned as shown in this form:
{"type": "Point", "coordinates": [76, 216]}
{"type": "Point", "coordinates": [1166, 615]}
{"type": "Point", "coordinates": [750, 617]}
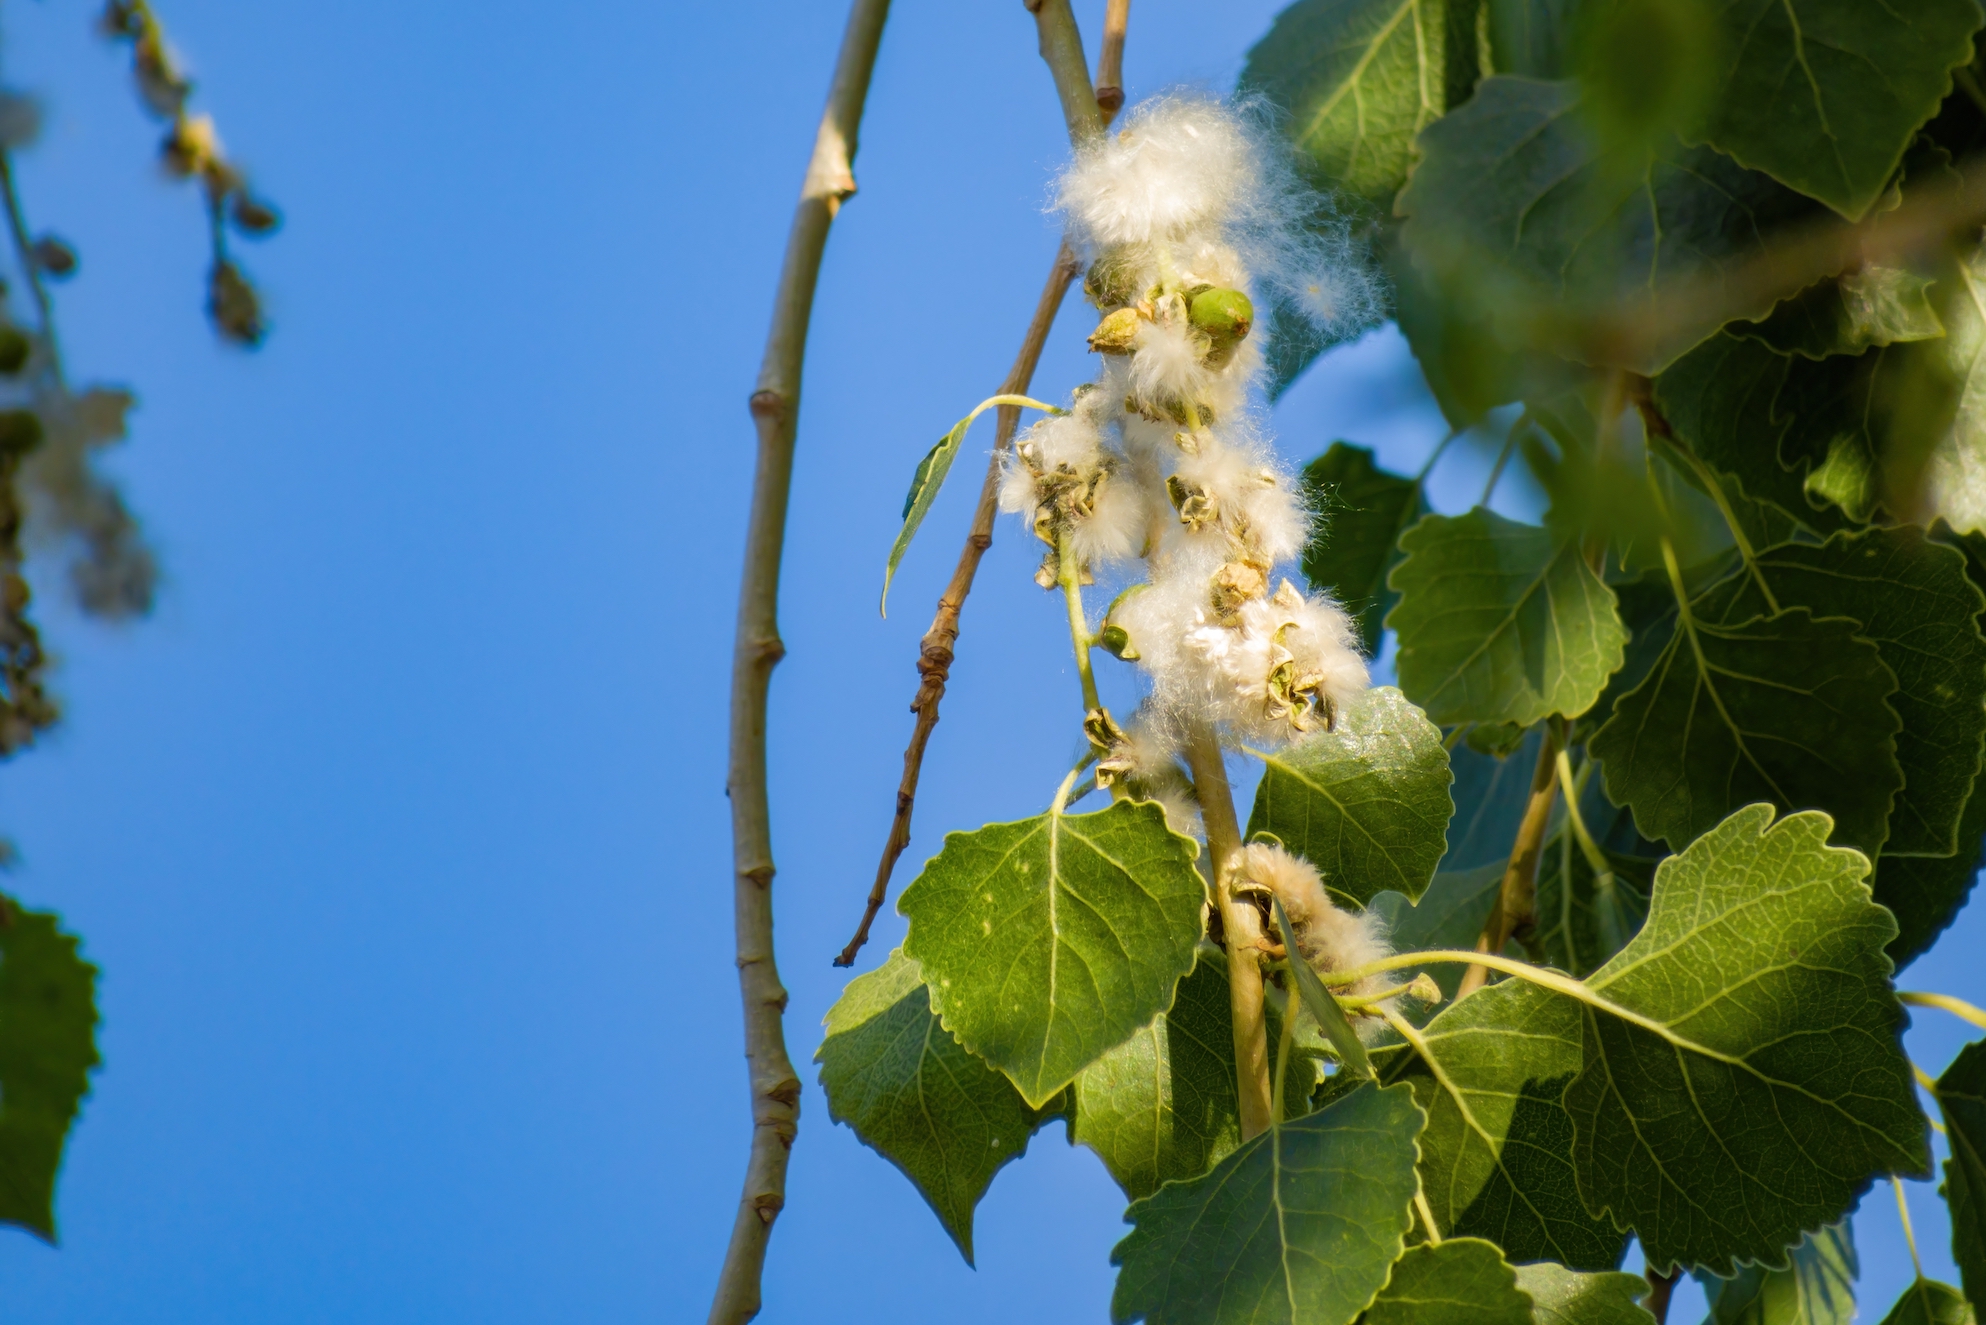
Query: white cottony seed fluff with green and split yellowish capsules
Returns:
{"type": "Point", "coordinates": [1193, 220]}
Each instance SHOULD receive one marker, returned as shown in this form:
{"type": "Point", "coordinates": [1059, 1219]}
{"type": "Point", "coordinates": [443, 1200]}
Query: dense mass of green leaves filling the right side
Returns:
{"type": "Point", "coordinates": [1655, 243]}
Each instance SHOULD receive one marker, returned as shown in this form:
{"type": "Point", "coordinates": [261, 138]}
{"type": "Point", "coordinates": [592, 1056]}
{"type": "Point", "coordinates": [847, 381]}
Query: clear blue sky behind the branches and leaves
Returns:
{"type": "Point", "coordinates": [400, 829]}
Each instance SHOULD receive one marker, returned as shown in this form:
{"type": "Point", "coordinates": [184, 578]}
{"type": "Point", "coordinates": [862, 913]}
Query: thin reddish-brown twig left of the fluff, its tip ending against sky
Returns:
{"type": "Point", "coordinates": [936, 651]}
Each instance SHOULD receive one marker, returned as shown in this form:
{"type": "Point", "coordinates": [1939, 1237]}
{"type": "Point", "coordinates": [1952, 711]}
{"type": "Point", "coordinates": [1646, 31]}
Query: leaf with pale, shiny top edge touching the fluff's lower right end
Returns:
{"type": "Point", "coordinates": [1367, 804]}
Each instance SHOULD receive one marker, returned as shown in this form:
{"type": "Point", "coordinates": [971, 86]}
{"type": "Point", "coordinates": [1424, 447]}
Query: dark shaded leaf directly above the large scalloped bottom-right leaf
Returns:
{"type": "Point", "coordinates": [1786, 708]}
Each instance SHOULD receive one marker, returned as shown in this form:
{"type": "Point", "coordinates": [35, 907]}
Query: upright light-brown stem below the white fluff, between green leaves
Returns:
{"type": "Point", "coordinates": [1242, 927]}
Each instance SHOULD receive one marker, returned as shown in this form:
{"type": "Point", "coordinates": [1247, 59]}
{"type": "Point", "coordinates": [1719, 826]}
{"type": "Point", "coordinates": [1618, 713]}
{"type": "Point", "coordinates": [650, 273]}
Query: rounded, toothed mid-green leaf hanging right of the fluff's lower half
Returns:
{"type": "Point", "coordinates": [1498, 625]}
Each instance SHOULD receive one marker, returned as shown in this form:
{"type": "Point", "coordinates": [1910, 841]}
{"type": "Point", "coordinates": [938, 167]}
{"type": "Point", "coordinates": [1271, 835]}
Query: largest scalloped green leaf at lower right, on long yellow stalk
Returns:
{"type": "Point", "coordinates": [1765, 1044]}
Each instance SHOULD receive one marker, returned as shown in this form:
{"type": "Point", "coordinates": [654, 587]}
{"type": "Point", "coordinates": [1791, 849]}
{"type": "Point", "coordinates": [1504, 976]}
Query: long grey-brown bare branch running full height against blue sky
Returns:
{"type": "Point", "coordinates": [776, 404]}
